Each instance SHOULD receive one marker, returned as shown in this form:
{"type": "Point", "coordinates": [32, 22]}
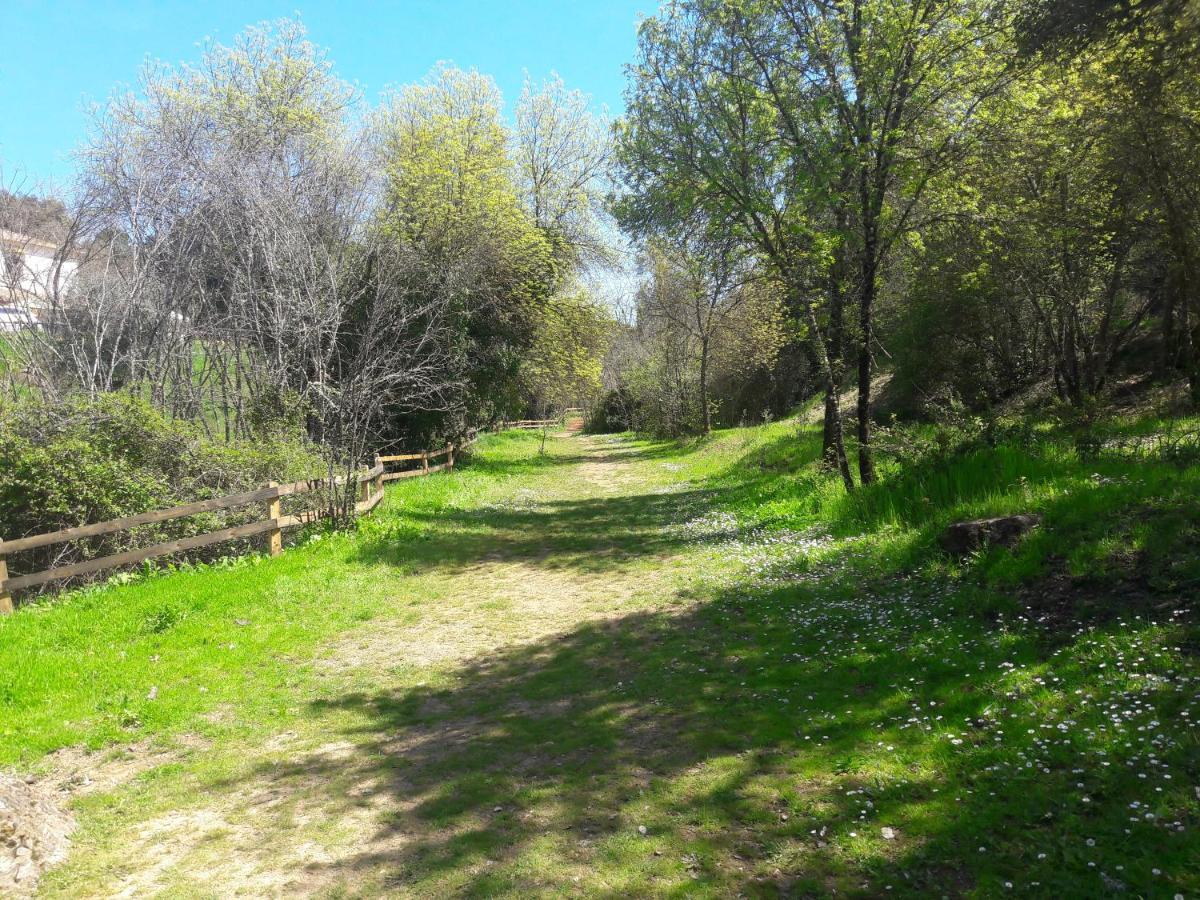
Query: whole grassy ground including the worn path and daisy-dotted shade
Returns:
{"type": "Point", "coordinates": [646, 669]}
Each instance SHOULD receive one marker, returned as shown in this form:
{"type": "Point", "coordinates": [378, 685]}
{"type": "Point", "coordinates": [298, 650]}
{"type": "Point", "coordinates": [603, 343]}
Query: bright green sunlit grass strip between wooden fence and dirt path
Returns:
{"type": "Point", "coordinates": [80, 670]}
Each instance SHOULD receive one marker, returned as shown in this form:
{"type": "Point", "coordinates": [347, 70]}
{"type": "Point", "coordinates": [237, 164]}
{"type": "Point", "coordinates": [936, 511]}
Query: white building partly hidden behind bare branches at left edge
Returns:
{"type": "Point", "coordinates": [32, 271]}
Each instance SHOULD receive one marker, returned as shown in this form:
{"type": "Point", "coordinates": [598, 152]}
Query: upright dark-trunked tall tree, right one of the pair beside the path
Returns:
{"type": "Point", "coordinates": [880, 99]}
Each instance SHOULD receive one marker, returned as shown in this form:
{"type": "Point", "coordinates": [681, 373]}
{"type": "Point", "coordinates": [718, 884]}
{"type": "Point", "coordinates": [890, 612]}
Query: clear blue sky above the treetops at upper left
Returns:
{"type": "Point", "coordinates": [59, 57]}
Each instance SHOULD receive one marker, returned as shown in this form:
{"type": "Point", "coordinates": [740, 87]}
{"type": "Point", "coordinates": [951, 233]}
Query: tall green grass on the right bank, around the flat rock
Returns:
{"type": "Point", "coordinates": [1100, 507]}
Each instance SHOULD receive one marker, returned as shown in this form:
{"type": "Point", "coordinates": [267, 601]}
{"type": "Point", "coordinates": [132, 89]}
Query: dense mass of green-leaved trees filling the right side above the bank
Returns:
{"type": "Point", "coordinates": [1004, 191]}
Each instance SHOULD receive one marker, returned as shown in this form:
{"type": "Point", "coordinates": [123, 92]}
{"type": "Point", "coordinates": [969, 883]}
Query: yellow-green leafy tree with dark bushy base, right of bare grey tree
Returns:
{"type": "Point", "coordinates": [518, 331]}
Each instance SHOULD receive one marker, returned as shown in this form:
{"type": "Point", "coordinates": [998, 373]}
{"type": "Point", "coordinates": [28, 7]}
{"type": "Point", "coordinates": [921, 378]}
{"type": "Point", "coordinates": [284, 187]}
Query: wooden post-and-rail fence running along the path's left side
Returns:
{"type": "Point", "coordinates": [370, 494]}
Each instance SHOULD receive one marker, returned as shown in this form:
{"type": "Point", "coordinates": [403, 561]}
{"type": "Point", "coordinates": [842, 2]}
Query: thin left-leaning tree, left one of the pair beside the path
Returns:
{"type": "Point", "coordinates": [701, 137]}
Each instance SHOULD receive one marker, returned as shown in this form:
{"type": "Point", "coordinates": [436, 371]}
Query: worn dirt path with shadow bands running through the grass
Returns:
{"type": "Point", "coordinates": [411, 717]}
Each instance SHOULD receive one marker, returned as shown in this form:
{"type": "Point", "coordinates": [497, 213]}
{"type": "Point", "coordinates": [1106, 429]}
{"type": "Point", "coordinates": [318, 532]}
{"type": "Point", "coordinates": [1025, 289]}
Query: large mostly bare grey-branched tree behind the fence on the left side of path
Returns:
{"type": "Point", "coordinates": [225, 224]}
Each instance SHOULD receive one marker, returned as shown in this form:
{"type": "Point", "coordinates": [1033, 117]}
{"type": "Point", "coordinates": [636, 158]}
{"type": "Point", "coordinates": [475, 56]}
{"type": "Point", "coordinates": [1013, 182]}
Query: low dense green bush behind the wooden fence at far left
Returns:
{"type": "Point", "coordinates": [83, 461]}
